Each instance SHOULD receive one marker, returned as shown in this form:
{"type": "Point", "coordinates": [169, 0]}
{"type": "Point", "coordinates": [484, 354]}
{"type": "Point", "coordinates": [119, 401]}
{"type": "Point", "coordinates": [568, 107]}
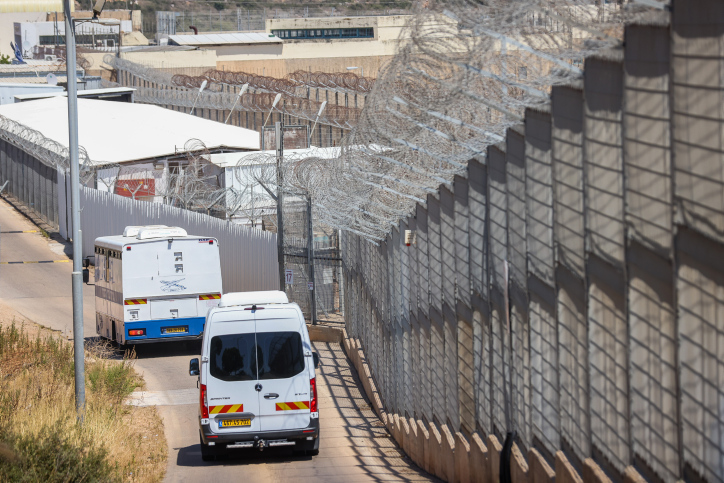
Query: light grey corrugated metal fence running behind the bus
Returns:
{"type": "Point", "coordinates": [248, 257]}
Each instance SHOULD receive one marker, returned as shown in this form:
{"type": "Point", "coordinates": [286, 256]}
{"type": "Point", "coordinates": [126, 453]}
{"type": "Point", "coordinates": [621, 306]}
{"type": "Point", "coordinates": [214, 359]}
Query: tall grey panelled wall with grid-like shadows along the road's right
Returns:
{"type": "Point", "coordinates": [563, 246]}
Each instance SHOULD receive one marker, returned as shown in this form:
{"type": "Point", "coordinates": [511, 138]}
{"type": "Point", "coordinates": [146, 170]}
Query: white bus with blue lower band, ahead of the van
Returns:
{"type": "Point", "coordinates": [155, 283]}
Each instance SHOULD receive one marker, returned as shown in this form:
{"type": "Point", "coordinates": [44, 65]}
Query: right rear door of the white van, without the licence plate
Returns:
{"type": "Point", "coordinates": [285, 395]}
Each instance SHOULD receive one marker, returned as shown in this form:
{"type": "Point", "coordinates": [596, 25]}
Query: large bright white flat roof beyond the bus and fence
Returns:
{"type": "Point", "coordinates": [121, 132]}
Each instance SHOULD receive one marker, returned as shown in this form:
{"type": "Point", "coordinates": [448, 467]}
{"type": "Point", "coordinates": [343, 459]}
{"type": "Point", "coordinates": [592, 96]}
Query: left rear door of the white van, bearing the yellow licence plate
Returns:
{"type": "Point", "coordinates": [232, 375]}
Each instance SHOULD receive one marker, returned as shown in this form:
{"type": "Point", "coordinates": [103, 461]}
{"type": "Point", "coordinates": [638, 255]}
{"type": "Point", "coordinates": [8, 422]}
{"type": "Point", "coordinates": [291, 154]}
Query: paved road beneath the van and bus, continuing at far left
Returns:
{"type": "Point", "coordinates": [354, 447]}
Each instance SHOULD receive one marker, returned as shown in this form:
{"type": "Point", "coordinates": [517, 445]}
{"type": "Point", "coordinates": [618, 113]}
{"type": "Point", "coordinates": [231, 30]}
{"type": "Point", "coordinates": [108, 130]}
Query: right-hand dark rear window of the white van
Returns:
{"type": "Point", "coordinates": [279, 354]}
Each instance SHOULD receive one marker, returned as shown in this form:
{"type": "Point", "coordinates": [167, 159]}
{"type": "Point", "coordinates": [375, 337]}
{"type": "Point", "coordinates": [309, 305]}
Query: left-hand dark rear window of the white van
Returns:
{"type": "Point", "coordinates": [232, 358]}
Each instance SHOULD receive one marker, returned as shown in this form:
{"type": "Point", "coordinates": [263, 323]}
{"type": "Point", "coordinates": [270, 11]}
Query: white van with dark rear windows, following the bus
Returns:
{"type": "Point", "coordinates": [256, 375]}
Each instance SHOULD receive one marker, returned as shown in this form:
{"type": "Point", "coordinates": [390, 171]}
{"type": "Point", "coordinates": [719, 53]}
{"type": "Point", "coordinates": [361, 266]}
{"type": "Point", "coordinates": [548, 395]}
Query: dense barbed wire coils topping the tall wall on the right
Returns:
{"type": "Point", "coordinates": [467, 74]}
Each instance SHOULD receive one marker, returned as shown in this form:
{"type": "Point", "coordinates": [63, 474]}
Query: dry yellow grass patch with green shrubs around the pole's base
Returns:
{"type": "Point", "coordinates": [40, 438]}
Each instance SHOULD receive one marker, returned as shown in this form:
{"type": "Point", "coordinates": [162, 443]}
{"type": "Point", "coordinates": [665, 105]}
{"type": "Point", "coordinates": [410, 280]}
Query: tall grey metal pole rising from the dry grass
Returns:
{"type": "Point", "coordinates": [77, 274]}
